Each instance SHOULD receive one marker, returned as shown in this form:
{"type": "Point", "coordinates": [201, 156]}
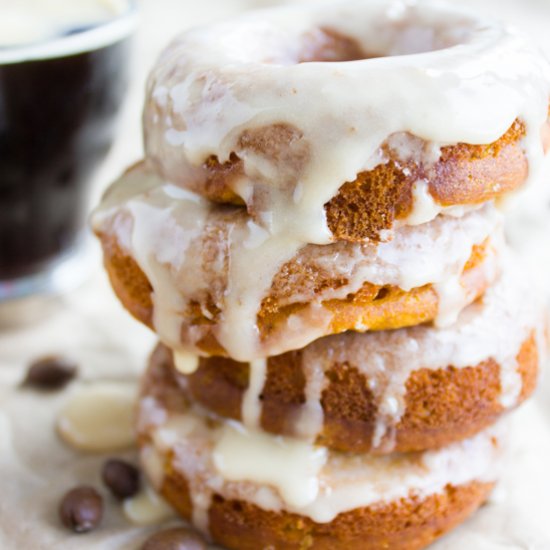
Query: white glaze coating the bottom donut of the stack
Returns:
{"type": "Point", "coordinates": [305, 479]}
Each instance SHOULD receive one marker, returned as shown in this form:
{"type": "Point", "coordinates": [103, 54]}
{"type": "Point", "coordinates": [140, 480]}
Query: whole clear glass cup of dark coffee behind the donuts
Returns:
{"type": "Point", "coordinates": [63, 75]}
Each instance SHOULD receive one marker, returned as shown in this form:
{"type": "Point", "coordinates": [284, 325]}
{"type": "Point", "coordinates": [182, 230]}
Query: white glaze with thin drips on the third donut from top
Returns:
{"type": "Point", "coordinates": [494, 328]}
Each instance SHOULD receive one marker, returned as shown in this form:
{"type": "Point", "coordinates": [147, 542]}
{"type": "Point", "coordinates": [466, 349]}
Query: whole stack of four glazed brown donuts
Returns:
{"type": "Point", "coordinates": [315, 237]}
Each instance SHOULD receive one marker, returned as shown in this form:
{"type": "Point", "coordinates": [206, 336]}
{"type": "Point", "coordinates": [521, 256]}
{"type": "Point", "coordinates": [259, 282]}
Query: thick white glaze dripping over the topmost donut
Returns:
{"type": "Point", "coordinates": [445, 76]}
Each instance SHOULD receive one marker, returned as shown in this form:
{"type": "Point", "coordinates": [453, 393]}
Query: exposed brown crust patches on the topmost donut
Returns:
{"type": "Point", "coordinates": [465, 174]}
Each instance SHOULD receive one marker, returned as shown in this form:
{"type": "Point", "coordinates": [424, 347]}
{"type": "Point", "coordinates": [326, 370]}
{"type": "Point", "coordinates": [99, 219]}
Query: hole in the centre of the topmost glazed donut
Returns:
{"type": "Point", "coordinates": [346, 31]}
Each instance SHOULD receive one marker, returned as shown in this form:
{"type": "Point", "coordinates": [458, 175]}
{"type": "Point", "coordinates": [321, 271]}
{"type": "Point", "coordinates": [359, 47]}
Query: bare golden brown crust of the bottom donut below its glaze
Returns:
{"type": "Point", "coordinates": [406, 524]}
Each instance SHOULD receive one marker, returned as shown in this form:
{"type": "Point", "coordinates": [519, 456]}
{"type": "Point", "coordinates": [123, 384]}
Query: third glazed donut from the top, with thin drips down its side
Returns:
{"type": "Point", "coordinates": [406, 390]}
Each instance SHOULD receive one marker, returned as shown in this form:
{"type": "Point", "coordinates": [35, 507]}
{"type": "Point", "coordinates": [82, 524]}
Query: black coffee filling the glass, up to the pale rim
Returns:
{"type": "Point", "coordinates": [58, 103]}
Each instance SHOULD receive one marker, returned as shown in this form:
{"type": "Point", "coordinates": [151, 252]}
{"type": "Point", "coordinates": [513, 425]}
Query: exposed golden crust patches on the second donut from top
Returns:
{"type": "Point", "coordinates": [373, 306]}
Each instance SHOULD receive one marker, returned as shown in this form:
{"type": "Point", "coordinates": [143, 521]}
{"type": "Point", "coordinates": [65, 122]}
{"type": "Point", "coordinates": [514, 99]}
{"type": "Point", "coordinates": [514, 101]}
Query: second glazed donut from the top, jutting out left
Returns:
{"type": "Point", "coordinates": [209, 279]}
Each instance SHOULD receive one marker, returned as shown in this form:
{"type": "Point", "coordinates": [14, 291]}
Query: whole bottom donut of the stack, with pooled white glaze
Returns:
{"type": "Point", "coordinates": [249, 490]}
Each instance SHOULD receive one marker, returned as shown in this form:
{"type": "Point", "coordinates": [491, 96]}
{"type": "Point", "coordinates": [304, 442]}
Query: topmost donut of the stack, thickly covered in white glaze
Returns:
{"type": "Point", "coordinates": [340, 121]}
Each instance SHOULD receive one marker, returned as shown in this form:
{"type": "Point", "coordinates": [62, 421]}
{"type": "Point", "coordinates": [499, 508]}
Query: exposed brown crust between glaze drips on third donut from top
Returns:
{"type": "Point", "coordinates": [441, 406]}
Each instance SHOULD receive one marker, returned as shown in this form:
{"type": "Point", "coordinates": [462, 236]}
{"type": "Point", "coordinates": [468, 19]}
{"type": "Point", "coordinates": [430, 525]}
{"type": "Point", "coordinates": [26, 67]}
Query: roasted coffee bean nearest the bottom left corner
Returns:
{"type": "Point", "coordinates": [81, 509]}
